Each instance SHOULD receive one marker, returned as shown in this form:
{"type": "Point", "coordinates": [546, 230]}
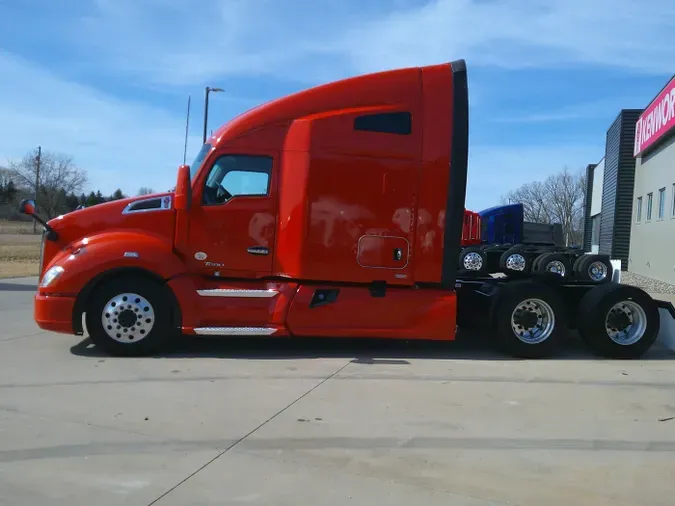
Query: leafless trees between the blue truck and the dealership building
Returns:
{"type": "Point", "coordinates": [558, 199]}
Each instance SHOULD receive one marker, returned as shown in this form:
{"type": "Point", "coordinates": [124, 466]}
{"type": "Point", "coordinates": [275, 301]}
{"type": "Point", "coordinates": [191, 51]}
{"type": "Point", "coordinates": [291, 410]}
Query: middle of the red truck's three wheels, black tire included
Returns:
{"type": "Point", "coordinates": [528, 319]}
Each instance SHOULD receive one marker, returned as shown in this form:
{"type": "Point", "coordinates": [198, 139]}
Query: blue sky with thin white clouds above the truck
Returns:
{"type": "Point", "coordinates": [107, 81]}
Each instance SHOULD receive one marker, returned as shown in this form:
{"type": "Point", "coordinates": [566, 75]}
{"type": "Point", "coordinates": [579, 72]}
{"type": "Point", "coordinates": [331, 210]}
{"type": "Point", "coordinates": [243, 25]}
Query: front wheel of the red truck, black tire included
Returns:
{"type": "Point", "coordinates": [129, 316]}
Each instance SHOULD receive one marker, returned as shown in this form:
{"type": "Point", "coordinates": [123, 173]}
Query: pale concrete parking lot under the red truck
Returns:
{"type": "Point", "coordinates": [326, 423]}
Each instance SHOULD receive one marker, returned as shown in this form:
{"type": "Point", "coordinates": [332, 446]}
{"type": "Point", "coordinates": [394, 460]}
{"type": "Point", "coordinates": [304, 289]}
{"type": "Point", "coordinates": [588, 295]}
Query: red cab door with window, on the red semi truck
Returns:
{"type": "Point", "coordinates": [232, 227]}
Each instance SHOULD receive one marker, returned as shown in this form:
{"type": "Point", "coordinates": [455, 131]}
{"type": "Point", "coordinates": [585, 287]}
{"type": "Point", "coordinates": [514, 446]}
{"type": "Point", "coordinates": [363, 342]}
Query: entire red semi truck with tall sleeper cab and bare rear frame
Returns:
{"type": "Point", "coordinates": [337, 211]}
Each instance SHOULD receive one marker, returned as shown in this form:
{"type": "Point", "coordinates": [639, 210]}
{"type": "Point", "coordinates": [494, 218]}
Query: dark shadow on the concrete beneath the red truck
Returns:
{"type": "Point", "coordinates": [468, 346]}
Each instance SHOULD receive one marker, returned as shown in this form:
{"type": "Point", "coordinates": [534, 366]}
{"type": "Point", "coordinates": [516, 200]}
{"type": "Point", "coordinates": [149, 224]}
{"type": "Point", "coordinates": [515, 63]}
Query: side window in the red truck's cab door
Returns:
{"type": "Point", "coordinates": [237, 175]}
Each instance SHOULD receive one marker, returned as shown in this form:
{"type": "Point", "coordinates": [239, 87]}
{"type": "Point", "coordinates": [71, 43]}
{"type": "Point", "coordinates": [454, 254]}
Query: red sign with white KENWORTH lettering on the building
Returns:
{"type": "Point", "coordinates": [656, 120]}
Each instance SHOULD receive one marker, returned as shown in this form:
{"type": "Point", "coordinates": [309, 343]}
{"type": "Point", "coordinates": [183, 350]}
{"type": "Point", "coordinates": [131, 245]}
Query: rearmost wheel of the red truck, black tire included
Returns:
{"type": "Point", "coordinates": [618, 321]}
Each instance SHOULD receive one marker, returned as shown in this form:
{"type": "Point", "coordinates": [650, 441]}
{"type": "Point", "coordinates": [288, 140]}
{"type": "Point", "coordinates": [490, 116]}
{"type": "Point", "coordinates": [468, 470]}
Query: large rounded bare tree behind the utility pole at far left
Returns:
{"type": "Point", "coordinates": [59, 176]}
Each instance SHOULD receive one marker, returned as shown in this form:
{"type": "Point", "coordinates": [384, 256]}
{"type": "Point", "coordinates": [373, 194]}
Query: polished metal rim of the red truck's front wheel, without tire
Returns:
{"type": "Point", "coordinates": [128, 318]}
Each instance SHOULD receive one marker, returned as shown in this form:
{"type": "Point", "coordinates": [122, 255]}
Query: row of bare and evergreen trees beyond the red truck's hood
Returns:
{"type": "Point", "coordinates": [60, 185]}
